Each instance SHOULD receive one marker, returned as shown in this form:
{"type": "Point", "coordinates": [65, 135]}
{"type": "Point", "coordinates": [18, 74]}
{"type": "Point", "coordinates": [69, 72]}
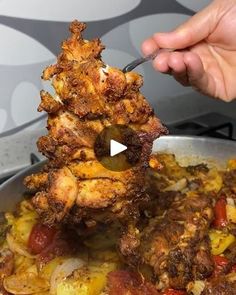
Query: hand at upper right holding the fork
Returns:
{"type": "Point", "coordinates": [206, 51]}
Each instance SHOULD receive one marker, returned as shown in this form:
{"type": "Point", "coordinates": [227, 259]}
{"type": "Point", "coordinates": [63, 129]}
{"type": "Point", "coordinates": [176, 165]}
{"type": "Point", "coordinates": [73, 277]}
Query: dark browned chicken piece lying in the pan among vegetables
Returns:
{"type": "Point", "coordinates": [174, 245]}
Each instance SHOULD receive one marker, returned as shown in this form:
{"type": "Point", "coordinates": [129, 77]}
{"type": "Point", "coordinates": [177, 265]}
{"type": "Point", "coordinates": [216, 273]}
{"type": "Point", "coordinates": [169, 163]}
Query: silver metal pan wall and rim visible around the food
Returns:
{"type": "Point", "coordinates": [187, 149]}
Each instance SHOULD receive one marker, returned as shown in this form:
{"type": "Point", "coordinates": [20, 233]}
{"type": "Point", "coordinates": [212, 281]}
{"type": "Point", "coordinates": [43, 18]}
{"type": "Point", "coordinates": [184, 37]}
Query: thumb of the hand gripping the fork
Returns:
{"type": "Point", "coordinates": [191, 32]}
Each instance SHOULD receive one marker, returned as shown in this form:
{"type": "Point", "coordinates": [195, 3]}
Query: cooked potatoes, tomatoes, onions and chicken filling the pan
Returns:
{"type": "Point", "coordinates": [184, 243]}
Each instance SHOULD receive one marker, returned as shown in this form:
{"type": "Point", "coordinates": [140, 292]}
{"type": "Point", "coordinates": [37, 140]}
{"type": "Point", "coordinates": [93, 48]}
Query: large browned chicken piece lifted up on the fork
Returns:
{"type": "Point", "coordinates": [89, 96]}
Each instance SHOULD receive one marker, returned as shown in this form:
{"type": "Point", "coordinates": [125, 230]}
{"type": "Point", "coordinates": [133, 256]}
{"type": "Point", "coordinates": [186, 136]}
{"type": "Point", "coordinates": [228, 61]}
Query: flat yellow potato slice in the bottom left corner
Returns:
{"type": "Point", "coordinates": [25, 283]}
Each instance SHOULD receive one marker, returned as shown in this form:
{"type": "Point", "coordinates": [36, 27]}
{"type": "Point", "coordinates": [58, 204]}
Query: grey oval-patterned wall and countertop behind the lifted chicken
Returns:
{"type": "Point", "coordinates": [31, 33]}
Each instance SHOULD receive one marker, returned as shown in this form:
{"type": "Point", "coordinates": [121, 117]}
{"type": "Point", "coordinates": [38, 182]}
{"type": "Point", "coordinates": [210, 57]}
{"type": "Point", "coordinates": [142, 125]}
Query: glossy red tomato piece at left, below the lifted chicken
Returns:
{"type": "Point", "coordinates": [40, 238]}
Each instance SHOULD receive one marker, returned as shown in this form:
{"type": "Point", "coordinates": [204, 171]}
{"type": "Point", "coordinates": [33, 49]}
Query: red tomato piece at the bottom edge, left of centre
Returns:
{"type": "Point", "coordinates": [124, 282]}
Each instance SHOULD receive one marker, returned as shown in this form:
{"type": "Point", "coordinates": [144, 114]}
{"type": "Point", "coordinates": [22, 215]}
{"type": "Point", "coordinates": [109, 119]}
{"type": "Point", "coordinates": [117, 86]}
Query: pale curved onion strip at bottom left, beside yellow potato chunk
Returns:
{"type": "Point", "coordinates": [63, 270]}
